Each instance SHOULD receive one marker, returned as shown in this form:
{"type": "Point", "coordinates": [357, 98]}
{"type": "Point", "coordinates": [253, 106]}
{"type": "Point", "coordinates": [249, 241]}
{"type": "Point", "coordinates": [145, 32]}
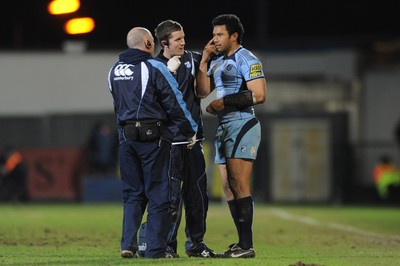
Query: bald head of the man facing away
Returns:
{"type": "Point", "coordinates": [140, 38]}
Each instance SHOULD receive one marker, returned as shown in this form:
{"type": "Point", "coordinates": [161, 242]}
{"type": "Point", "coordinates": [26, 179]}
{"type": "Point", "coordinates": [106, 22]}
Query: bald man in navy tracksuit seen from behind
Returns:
{"type": "Point", "coordinates": [148, 107]}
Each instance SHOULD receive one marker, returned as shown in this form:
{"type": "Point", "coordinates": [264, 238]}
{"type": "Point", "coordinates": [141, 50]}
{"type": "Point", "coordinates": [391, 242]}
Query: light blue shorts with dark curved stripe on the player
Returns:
{"type": "Point", "coordinates": [237, 139]}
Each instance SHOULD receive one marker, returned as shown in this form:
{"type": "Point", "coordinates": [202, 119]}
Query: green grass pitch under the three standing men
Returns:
{"type": "Point", "coordinates": [89, 234]}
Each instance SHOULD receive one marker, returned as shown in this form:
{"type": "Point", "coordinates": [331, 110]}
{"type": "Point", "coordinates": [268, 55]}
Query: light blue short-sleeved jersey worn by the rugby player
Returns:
{"type": "Point", "coordinates": [230, 75]}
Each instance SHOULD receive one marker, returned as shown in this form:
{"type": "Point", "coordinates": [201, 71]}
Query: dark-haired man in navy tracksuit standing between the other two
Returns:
{"type": "Point", "coordinates": [188, 170]}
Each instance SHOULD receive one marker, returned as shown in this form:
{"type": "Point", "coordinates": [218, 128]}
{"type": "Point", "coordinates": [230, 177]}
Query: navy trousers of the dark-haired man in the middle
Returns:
{"type": "Point", "coordinates": [188, 188]}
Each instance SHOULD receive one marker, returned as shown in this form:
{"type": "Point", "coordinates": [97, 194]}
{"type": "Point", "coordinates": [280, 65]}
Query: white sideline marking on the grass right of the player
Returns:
{"type": "Point", "coordinates": [311, 221]}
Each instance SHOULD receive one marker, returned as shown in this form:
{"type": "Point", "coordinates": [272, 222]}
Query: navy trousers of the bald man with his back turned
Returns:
{"type": "Point", "coordinates": [144, 170]}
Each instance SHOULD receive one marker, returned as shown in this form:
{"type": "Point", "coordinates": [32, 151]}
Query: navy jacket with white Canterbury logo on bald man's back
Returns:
{"type": "Point", "coordinates": [144, 89]}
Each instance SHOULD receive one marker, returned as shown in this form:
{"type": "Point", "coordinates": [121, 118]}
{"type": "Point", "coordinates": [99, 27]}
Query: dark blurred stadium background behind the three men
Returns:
{"type": "Point", "coordinates": [332, 111]}
